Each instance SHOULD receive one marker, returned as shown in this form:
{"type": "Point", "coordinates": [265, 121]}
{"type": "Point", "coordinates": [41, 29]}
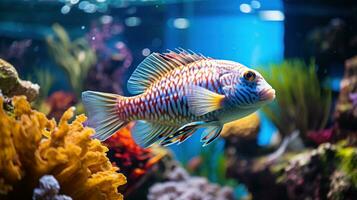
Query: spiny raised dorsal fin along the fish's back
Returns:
{"type": "Point", "coordinates": [158, 65]}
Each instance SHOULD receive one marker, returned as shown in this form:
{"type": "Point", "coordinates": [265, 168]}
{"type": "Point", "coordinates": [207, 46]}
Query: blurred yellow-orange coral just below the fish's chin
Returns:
{"type": "Point", "coordinates": [247, 127]}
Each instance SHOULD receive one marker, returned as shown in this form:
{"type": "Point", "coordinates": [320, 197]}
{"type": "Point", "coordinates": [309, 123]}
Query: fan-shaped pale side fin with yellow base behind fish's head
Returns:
{"type": "Point", "coordinates": [202, 101]}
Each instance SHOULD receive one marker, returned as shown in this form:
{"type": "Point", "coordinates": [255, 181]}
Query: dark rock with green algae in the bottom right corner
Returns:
{"type": "Point", "coordinates": [328, 172]}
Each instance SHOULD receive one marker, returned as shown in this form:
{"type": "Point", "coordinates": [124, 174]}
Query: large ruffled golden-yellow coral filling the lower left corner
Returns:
{"type": "Point", "coordinates": [78, 162]}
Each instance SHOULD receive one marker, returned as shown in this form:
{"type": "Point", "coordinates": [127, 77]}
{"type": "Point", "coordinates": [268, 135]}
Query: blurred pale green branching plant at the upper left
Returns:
{"type": "Point", "coordinates": [75, 57]}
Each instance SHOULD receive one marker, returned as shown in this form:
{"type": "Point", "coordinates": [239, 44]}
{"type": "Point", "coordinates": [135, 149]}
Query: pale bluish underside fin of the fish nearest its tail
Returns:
{"type": "Point", "coordinates": [147, 133]}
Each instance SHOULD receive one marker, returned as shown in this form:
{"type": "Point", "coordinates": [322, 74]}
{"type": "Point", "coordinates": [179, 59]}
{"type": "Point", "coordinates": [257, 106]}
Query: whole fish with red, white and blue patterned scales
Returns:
{"type": "Point", "coordinates": [177, 94]}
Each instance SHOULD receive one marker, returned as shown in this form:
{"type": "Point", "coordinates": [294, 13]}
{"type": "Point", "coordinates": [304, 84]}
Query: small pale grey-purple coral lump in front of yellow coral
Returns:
{"type": "Point", "coordinates": [48, 190]}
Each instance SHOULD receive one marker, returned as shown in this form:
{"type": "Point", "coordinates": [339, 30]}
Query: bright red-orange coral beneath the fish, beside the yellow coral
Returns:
{"type": "Point", "coordinates": [134, 161]}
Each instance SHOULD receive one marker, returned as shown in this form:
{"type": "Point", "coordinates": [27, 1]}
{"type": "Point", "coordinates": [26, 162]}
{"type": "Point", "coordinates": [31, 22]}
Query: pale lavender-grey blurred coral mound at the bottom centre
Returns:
{"type": "Point", "coordinates": [181, 186]}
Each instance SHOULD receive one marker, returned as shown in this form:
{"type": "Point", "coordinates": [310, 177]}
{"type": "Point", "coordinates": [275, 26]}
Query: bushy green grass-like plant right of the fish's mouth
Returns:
{"type": "Point", "coordinates": [301, 102]}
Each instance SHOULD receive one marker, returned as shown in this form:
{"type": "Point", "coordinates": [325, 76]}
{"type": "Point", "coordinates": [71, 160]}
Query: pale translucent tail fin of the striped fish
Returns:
{"type": "Point", "coordinates": [101, 109]}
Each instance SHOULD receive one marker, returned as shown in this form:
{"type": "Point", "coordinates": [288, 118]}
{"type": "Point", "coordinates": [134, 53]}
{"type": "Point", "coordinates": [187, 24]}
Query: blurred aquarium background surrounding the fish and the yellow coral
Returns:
{"type": "Point", "coordinates": [303, 146]}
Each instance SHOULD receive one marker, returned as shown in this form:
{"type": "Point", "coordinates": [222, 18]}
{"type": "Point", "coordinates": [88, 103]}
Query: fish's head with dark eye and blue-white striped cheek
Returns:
{"type": "Point", "coordinates": [247, 88]}
